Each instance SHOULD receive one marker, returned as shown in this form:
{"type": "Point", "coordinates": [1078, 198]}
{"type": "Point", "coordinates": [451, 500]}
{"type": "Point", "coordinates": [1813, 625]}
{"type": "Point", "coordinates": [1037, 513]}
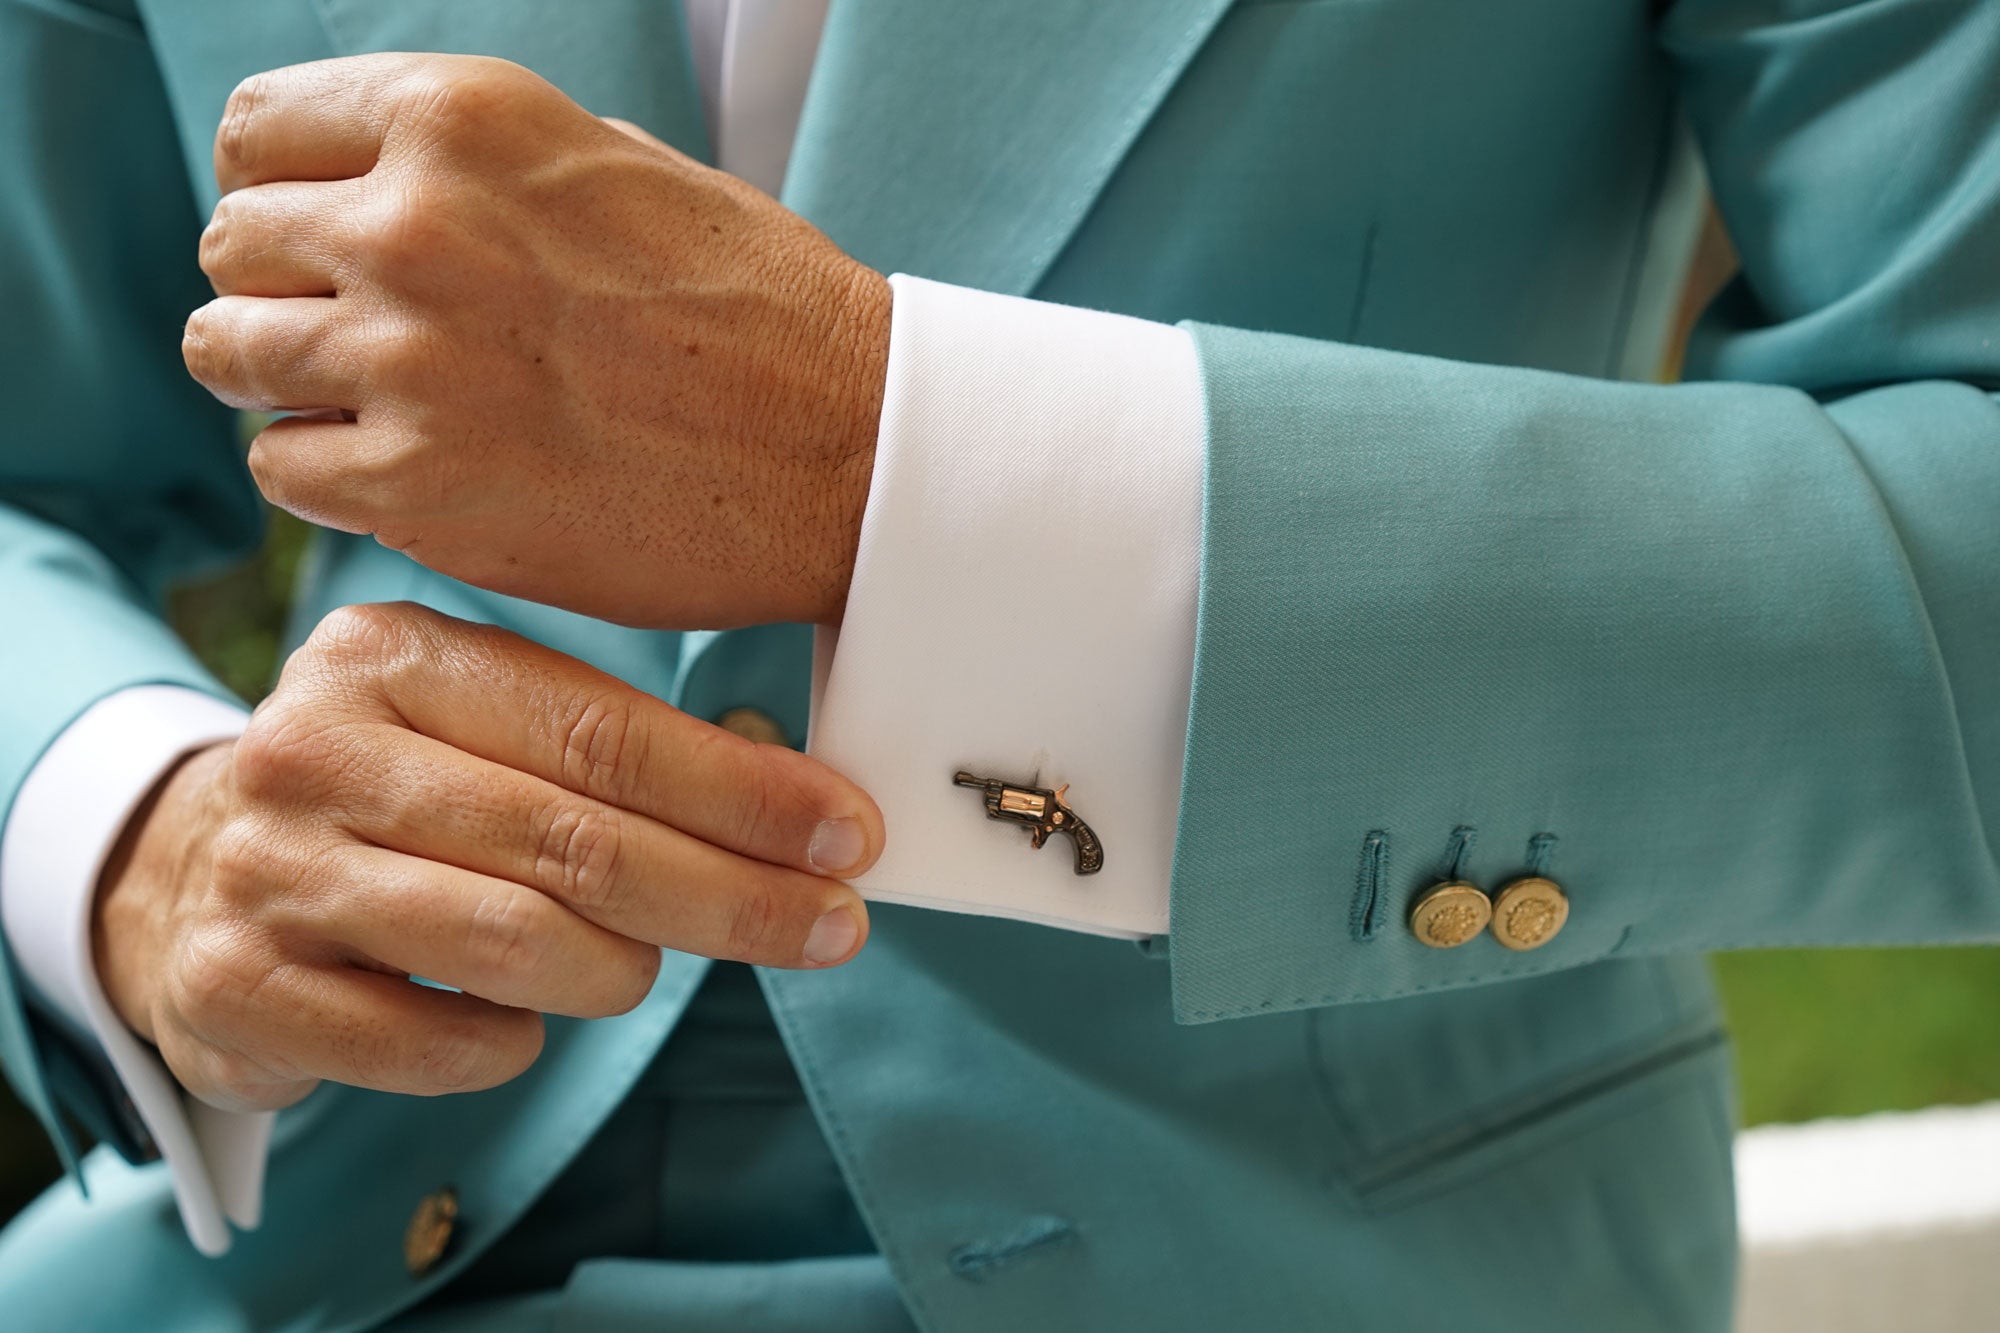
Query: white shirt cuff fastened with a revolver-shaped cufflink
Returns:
{"type": "Point", "coordinates": [1023, 605]}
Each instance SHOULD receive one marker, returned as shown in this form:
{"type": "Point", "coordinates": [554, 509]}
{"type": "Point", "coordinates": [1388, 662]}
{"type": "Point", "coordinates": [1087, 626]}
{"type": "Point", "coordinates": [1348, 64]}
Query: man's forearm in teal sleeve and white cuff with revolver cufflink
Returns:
{"type": "Point", "coordinates": [1705, 657]}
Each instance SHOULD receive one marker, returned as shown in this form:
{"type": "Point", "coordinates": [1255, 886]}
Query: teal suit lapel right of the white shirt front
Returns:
{"type": "Point", "coordinates": [967, 139]}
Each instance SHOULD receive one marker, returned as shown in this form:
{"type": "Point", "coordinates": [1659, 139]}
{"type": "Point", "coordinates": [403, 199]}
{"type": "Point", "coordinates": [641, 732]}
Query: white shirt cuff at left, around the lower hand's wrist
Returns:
{"type": "Point", "coordinates": [65, 824]}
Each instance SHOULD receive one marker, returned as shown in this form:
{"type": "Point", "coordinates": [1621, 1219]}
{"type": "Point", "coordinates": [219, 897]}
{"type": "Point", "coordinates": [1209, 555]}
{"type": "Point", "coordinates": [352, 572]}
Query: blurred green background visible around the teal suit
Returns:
{"type": "Point", "coordinates": [1819, 1032]}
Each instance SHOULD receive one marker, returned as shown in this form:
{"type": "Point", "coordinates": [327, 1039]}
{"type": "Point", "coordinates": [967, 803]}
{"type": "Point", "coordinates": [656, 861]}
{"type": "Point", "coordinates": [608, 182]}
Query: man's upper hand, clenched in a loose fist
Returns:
{"type": "Point", "coordinates": [541, 355]}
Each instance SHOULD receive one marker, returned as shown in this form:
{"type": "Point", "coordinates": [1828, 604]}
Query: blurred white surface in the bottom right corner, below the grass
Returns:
{"type": "Point", "coordinates": [1877, 1224]}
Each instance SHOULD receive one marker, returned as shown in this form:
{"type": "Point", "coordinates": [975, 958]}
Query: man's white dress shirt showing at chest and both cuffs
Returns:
{"type": "Point", "coordinates": [1023, 605]}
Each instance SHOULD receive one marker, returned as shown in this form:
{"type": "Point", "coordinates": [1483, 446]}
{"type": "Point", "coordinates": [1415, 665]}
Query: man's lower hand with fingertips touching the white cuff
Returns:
{"type": "Point", "coordinates": [425, 798]}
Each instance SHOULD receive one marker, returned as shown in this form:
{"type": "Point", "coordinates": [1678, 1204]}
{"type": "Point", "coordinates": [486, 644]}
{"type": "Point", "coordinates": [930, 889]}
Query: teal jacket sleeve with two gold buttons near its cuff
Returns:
{"type": "Point", "coordinates": [1727, 651]}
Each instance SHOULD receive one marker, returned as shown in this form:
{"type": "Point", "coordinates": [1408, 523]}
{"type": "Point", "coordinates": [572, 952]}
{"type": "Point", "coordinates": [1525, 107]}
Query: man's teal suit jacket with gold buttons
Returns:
{"type": "Point", "coordinates": [1723, 657]}
